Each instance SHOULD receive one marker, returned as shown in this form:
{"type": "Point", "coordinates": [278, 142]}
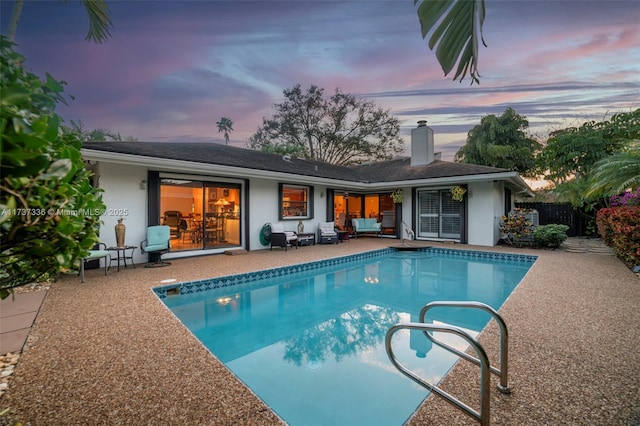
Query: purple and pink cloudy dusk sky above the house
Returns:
{"type": "Point", "coordinates": [172, 68]}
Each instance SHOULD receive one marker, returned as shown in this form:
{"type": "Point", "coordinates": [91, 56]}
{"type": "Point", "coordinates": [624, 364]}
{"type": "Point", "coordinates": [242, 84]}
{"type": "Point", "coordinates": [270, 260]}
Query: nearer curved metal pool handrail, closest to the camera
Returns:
{"type": "Point", "coordinates": [483, 416]}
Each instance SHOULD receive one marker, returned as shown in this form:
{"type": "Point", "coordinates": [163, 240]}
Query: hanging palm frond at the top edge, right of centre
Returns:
{"type": "Point", "coordinates": [457, 35]}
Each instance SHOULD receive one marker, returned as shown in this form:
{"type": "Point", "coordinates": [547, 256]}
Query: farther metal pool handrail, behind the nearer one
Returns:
{"type": "Point", "coordinates": [503, 372]}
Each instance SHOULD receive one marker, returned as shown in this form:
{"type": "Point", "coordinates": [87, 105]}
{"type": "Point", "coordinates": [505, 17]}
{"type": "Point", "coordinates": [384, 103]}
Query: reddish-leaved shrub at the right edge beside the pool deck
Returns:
{"type": "Point", "coordinates": [619, 228]}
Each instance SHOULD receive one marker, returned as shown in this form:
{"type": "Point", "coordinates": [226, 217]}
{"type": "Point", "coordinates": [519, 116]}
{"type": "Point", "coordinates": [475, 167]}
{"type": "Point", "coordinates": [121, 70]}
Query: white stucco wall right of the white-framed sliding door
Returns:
{"type": "Point", "coordinates": [484, 211]}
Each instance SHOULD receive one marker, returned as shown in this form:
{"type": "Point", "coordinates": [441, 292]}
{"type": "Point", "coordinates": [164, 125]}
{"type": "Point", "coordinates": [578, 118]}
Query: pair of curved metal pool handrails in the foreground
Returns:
{"type": "Point", "coordinates": [483, 416]}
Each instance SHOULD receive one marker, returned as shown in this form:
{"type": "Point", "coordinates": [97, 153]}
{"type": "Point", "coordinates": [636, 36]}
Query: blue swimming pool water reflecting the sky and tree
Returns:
{"type": "Point", "coordinates": [309, 339]}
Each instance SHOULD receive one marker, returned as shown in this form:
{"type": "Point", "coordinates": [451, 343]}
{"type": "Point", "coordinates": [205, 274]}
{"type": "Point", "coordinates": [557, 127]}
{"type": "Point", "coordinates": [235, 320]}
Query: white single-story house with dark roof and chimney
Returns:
{"type": "Point", "coordinates": [217, 197]}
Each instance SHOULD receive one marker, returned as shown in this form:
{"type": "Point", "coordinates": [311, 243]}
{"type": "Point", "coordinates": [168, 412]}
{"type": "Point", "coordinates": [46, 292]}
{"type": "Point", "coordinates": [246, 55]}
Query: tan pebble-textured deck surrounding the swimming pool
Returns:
{"type": "Point", "coordinates": [109, 352]}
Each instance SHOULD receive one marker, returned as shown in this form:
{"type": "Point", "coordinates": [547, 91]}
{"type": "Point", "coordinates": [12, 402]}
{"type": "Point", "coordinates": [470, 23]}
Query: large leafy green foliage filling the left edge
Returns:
{"type": "Point", "coordinates": [49, 210]}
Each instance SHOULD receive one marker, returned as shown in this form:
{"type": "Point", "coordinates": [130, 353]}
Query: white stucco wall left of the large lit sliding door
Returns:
{"type": "Point", "coordinates": [124, 198]}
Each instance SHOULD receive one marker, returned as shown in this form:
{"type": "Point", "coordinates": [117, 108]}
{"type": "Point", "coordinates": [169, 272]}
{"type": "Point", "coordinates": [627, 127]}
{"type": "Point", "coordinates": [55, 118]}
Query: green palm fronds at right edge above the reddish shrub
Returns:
{"type": "Point", "coordinates": [616, 173]}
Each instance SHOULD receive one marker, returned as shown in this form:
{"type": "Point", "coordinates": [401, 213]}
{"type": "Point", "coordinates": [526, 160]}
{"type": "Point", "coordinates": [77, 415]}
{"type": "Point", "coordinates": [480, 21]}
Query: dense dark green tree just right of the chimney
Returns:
{"type": "Point", "coordinates": [501, 142]}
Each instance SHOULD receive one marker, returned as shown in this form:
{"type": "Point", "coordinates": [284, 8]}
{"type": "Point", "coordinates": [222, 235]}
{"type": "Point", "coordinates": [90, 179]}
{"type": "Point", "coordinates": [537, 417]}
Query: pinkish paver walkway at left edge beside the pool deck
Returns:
{"type": "Point", "coordinates": [17, 314]}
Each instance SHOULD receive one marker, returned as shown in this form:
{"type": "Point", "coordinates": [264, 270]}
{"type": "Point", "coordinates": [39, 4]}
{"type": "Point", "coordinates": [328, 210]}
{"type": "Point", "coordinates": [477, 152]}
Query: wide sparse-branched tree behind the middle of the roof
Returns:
{"type": "Point", "coordinates": [340, 129]}
